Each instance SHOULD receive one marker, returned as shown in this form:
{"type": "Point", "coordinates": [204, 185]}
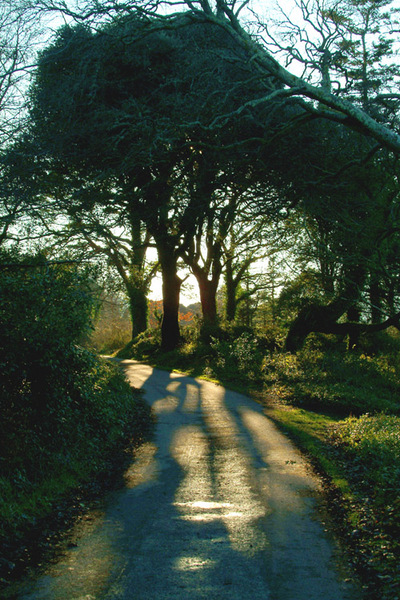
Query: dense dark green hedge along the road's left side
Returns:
{"type": "Point", "coordinates": [63, 410]}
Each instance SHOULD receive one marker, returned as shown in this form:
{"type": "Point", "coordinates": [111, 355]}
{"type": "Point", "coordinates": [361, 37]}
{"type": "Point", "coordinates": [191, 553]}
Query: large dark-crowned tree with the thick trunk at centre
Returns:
{"type": "Point", "coordinates": [272, 108]}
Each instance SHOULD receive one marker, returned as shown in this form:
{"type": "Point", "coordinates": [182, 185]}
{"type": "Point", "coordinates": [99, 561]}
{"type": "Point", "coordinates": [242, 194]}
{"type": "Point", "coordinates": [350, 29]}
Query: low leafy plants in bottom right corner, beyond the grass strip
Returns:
{"type": "Point", "coordinates": [371, 452]}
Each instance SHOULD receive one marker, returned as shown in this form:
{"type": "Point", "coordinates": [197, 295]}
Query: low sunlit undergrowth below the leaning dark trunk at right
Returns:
{"type": "Point", "coordinates": [333, 381]}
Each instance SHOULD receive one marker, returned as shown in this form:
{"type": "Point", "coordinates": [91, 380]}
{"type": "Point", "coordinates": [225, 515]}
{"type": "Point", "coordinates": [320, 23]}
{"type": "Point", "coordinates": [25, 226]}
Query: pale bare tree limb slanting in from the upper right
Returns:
{"type": "Point", "coordinates": [227, 16]}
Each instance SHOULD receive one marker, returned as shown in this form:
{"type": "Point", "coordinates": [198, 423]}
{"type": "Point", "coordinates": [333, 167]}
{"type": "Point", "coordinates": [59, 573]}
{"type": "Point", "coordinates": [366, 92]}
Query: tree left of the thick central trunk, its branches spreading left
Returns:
{"type": "Point", "coordinates": [87, 219]}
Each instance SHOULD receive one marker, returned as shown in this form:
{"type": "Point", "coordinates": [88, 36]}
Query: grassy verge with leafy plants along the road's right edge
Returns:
{"type": "Point", "coordinates": [361, 495]}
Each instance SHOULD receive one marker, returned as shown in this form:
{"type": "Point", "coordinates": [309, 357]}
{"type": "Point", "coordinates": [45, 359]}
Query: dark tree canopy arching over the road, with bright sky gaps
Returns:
{"type": "Point", "coordinates": [169, 123]}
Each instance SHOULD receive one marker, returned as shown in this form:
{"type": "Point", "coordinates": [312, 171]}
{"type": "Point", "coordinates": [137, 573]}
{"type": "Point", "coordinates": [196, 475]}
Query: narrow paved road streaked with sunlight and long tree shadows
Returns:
{"type": "Point", "coordinates": [218, 506]}
